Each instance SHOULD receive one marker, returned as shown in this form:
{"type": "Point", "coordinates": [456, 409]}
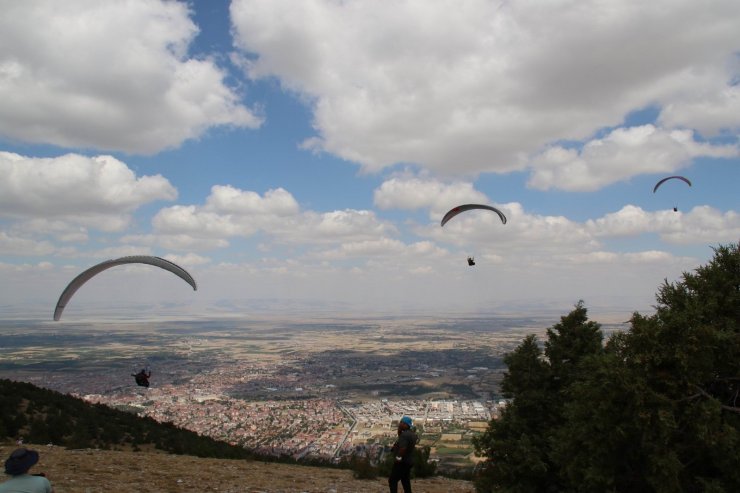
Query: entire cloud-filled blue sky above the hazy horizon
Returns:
{"type": "Point", "coordinates": [303, 152]}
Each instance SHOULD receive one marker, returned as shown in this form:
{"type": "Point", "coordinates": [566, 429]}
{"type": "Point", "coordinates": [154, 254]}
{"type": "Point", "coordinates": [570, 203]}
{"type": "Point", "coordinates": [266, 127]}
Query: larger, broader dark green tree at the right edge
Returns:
{"type": "Point", "coordinates": [659, 412]}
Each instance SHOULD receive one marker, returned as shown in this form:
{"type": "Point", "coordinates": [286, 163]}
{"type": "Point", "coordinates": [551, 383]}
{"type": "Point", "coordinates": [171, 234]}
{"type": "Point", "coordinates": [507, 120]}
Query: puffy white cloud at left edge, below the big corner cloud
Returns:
{"type": "Point", "coordinates": [98, 192]}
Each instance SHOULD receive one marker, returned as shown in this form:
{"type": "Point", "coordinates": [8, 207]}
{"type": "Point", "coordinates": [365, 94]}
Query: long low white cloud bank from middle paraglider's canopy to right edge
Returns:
{"type": "Point", "coordinates": [538, 237]}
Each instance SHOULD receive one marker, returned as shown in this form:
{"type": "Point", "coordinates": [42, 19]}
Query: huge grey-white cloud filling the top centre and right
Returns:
{"type": "Point", "coordinates": [505, 80]}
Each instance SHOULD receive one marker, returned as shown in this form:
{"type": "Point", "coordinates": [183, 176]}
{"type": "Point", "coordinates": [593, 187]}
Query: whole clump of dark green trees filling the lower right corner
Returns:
{"type": "Point", "coordinates": [655, 410]}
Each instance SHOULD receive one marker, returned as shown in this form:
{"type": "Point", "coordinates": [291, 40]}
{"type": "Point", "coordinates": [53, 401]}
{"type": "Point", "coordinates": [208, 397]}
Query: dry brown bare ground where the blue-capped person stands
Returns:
{"type": "Point", "coordinates": [102, 471]}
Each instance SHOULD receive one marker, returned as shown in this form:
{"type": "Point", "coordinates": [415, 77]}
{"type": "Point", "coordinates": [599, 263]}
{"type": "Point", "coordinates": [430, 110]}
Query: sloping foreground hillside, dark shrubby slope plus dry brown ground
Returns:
{"type": "Point", "coordinates": [90, 448]}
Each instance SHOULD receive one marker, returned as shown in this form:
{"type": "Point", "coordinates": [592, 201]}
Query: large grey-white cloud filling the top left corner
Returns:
{"type": "Point", "coordinates": [109, 75]}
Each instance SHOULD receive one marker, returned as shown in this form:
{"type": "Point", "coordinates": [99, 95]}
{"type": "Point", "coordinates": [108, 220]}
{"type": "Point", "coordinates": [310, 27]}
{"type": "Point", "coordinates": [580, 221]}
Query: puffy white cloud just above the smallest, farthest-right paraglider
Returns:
{"type": "Point", "coordinates": [624, 153]}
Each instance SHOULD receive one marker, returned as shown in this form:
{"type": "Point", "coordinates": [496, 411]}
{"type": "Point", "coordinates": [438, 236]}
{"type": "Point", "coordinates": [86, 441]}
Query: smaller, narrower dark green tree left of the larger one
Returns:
{"type": "Point", "coordinates": [518, 446]}
